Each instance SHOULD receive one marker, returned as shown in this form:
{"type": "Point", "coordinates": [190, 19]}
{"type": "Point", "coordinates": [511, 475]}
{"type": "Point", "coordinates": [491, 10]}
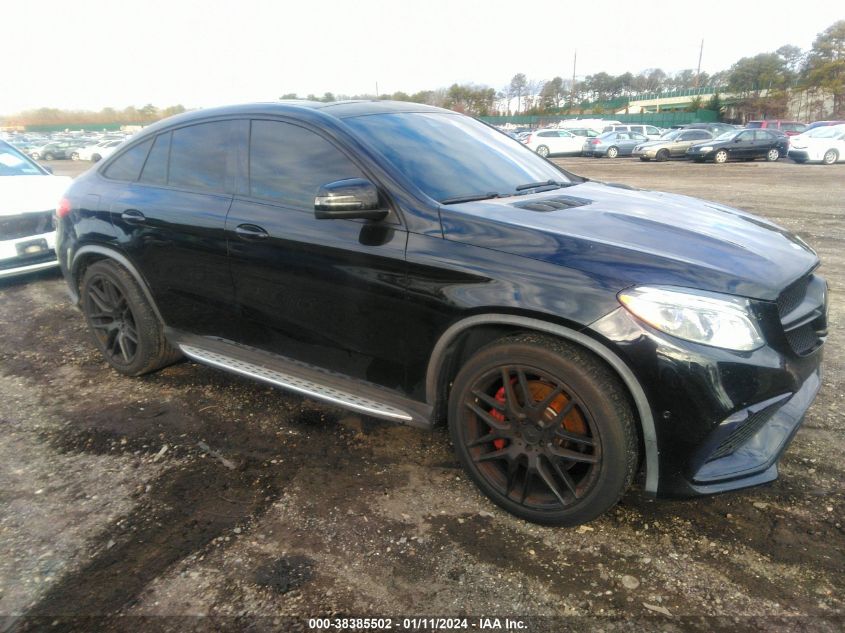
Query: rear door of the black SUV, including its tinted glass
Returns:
{"type": "Point", "coordinates": [170, 221]}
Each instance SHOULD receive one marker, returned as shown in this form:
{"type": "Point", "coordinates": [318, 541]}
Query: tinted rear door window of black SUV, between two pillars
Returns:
{"type": "Point", "coordinates": [198, 156]}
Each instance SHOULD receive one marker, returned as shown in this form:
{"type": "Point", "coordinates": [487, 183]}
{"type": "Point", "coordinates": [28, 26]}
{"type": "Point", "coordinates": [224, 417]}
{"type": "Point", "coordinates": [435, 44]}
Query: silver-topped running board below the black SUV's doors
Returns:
{"type": "Point", "coordinates": [309, 381]}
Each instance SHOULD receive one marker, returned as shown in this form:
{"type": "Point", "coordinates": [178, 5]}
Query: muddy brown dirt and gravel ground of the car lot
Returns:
{"type": "Point", "coordinates": [193, 499]}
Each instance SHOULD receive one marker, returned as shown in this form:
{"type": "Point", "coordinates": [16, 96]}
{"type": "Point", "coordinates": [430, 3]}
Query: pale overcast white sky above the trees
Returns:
{"type": "Point", "coordinates": [87, 54]}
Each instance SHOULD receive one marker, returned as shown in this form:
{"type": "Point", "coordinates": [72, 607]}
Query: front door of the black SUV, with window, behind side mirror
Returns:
{"type": "Point", "coordinates": [330, 293]}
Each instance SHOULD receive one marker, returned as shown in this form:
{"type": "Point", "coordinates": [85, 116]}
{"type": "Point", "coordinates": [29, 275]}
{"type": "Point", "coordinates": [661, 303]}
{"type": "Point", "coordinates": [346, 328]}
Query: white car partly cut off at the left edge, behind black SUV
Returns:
{"type": "Point", "coordinates": [28, 198]}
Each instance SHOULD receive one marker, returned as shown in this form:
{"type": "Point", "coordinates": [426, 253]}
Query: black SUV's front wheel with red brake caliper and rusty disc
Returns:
{"type": "Point", "coordinates": [544, 428]}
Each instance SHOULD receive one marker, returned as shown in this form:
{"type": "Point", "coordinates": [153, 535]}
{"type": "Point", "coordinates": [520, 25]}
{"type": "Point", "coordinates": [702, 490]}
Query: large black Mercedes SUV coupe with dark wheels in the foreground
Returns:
{"type": "Point", "coordinates": [414, 264]}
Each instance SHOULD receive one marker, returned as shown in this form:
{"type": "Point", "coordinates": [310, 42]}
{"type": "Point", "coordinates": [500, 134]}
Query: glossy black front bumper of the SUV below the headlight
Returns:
{"type": "Point", "coordinates": [722, 419]}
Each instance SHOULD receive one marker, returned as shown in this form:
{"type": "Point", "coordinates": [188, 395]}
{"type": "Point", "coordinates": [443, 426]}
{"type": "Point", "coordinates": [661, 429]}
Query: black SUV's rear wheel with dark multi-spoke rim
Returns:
{"type": "Point", "coordinates": [126, 330]}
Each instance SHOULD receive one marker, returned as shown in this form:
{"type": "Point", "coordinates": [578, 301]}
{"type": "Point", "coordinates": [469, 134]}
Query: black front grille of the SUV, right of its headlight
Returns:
{"type": "Point", "coordinates": [802, 308]}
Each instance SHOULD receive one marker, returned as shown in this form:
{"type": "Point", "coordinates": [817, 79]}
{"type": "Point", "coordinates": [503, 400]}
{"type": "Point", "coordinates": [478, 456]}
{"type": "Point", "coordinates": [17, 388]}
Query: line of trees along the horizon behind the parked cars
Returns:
{"type": "Point", "coordinates": [762, 85]}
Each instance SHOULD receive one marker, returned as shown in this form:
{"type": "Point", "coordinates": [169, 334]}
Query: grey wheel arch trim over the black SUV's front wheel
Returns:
{"type": "Point", "coordinates": [441, 368]}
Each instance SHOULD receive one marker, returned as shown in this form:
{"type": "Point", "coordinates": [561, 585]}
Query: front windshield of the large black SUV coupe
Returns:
{"type": "Point", "coordinates": [450, 156]}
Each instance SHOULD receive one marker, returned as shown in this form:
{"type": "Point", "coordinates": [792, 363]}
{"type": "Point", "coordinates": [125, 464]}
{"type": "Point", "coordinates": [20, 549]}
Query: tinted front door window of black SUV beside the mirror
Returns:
{"type": "Point", "coordinates": [288, 163]}
